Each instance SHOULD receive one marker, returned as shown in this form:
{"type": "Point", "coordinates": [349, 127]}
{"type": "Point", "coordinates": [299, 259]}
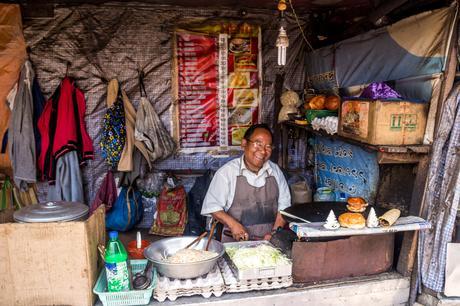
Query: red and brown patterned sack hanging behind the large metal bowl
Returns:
{"type": "Point", "coordinates": [171, 212]}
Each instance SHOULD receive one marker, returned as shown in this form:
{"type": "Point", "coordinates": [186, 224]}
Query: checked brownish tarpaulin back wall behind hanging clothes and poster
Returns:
{"type": "Point", "coordinates": [115, 40]}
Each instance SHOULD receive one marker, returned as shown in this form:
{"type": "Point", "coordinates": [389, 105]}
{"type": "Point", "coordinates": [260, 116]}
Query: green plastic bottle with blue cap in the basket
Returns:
{"type": "Point", "coordinates": [116, 264]}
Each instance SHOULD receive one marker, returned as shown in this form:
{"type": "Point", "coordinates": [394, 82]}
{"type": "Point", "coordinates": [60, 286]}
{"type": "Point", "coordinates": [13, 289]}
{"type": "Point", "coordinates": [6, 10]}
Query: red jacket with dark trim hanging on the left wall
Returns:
{"type": "Point", "coordinates": [62, 128]}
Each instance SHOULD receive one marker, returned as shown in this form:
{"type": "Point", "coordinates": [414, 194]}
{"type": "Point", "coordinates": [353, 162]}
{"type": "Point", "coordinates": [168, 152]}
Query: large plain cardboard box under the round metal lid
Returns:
{"type": "Point", "coordinates": [50, 263]}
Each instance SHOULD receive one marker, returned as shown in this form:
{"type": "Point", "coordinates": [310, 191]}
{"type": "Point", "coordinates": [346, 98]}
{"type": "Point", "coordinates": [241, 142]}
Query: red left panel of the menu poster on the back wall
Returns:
{"type": "Point", "coordinates": [197, 90]}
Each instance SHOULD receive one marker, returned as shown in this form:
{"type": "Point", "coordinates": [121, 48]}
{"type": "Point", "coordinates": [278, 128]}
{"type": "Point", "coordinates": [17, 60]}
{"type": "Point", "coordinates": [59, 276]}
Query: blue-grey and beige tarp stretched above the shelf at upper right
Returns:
{"type": "Point", "coordinates": [412, 53]}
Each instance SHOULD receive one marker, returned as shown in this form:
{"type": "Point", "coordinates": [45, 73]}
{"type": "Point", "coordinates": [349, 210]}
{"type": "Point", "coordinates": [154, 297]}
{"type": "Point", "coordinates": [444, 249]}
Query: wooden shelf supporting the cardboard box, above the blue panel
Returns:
{"type": "Point", "coordinates": [403, 154]}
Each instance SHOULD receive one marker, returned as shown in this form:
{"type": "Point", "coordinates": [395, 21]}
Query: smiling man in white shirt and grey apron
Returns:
{"type": "Point", "coordinates": [247, 193]}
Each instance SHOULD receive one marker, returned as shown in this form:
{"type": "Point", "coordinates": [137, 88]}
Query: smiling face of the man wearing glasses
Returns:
{"type": "Point", "coordinates": [257, 150]}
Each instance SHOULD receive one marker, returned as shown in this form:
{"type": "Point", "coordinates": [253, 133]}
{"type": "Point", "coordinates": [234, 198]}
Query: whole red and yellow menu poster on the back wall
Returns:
{"type": "Point", "coordinates": [218, 85]}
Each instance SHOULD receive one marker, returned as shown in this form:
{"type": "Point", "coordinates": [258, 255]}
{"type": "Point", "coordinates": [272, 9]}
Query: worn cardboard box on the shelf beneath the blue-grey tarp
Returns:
{"type": "Point", "coordinates": [383, 122]}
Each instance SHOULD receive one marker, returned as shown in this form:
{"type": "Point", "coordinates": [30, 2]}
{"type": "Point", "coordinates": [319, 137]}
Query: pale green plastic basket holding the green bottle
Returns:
{"type": "Point", "coordinates": [132, 297]}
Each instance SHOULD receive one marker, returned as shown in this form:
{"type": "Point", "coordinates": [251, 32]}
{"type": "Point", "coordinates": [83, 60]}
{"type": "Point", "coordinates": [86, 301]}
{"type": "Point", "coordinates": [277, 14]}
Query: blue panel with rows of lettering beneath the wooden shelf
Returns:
{"type": "Point", "coordinates": [348, 169]}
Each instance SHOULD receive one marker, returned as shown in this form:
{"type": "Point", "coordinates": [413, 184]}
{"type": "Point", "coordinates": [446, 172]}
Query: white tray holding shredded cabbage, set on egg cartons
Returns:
{"type": "Point", "coordinates": [256, 273]}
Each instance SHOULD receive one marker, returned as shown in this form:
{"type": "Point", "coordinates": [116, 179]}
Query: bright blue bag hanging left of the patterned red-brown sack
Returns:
{"type": "Point", "coordinates": [126, 211]}
